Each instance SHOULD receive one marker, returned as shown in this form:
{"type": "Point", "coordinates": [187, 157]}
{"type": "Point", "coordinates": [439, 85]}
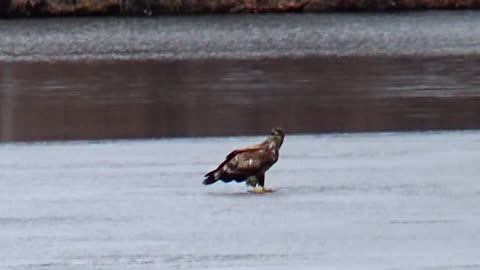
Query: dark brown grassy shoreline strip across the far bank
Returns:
{"type": "Point", "coordinates": [47, 8]}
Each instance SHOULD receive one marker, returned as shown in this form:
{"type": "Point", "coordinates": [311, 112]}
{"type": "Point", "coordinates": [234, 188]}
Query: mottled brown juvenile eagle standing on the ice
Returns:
{"type": "Point", "coordinates": [249, 163]}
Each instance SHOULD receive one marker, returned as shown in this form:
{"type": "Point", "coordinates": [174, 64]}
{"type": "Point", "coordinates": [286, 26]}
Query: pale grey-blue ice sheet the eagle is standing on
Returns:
{"type": "Point", "coordinates": [362, 201]}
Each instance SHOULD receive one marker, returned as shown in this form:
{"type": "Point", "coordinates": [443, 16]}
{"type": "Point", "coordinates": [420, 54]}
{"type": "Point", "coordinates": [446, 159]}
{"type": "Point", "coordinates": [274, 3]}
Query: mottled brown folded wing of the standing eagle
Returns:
{"type": "Point", "coordinates": [240, 164]}
